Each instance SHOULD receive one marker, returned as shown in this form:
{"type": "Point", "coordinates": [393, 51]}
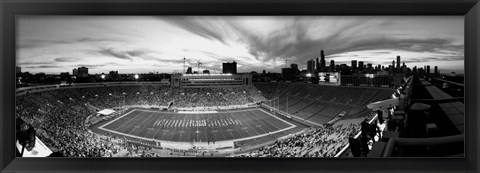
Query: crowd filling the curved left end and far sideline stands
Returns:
{"type": "Point", "coordinates": [59, 115]}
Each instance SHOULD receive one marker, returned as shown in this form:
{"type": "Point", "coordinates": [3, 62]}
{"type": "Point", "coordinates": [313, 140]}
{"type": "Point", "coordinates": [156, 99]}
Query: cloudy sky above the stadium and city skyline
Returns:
{"type": "Point", "coordinates": [139, 44]}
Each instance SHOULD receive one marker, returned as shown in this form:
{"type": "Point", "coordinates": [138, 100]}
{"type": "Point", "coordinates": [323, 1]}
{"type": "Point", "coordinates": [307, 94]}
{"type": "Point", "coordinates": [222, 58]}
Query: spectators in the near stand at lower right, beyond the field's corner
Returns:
{"type": "Point", "coordinates": [325, 141]}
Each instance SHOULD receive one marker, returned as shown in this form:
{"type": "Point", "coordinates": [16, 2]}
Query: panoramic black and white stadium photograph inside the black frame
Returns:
{"type": "Point", "coordinates": [240, 86]}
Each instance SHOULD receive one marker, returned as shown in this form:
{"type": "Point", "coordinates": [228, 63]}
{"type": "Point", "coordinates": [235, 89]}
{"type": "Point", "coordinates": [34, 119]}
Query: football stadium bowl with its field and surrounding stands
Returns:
{"type": "Point", "coordinates": [90, 120]}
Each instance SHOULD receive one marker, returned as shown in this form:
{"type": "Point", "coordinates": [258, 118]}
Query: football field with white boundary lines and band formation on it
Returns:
{"type": "Point", "coordinates": [196, 127]}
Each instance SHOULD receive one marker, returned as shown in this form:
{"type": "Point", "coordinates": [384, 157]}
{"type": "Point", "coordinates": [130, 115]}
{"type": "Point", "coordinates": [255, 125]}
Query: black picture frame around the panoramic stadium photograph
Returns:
{"type": "Point", "coordinates": [9, 9]}
